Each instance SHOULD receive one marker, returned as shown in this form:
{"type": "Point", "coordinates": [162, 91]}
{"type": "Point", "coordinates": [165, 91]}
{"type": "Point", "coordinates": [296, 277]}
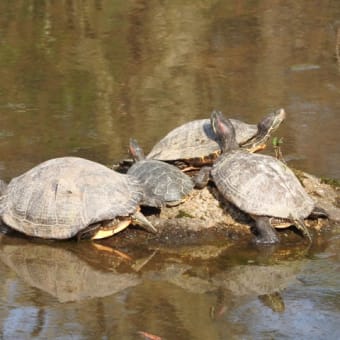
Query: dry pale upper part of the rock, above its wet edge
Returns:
{"type": "Point", "coordinates": [206, 208]}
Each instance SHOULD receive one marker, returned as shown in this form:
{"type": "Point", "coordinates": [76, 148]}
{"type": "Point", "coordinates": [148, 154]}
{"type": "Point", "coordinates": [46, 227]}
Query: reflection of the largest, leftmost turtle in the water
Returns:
{"type": "Point", "coordinates": [61, 273]}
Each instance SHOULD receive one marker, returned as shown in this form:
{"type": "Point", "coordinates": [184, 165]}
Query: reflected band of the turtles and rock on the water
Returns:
{"type": "Point", "coordinates": [77, 271]}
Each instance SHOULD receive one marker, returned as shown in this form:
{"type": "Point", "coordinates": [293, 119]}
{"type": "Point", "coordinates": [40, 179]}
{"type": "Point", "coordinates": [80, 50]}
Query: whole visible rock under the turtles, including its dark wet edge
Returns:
{"type": "Point", "coordinates": [207, 218]}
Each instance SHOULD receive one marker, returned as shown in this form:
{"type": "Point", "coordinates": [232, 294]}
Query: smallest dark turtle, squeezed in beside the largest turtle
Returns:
{"type": "Point", "coordinates": [164, 184]}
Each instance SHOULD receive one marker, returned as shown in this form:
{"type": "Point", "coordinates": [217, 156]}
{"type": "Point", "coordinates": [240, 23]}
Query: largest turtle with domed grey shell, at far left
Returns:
{"type": "Point", "coordinates": [70, 196]}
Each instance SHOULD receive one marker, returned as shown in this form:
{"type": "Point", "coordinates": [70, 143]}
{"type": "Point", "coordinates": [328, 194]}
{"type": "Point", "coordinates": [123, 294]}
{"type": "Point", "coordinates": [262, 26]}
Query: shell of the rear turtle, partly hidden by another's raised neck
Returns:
{"type": "Point", "coordinates": [196, 139]}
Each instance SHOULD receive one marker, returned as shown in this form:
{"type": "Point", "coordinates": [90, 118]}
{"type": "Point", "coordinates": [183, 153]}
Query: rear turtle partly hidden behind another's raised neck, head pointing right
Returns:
{"type": "Point", "coordinates": [195, 144]}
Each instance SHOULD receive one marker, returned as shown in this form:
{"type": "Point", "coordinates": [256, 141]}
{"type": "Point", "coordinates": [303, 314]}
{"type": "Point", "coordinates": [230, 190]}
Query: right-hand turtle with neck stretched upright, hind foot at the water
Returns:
{"type": "Point", "coordinates": [259, 185]}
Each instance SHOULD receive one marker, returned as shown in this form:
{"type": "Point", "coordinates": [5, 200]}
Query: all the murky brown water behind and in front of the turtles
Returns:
{"type": "Point", "coordinates": [81, 77]}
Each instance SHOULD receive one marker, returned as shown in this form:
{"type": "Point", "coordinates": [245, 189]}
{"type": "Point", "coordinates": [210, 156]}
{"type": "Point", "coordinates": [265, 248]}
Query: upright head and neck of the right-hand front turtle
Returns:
{"type": "Point", "coordinates": [224, 131]}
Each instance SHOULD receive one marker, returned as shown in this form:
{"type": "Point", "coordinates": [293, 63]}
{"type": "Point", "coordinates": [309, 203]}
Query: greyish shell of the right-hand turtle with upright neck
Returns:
{"type": "Point", "coordinates": [261, 185]}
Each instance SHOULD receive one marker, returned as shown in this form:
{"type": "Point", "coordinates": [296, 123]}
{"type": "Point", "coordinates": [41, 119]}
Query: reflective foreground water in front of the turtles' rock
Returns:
{"type": "Point", "coordinates": [191, 292]}
